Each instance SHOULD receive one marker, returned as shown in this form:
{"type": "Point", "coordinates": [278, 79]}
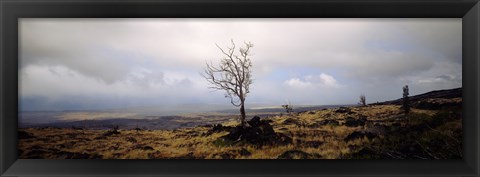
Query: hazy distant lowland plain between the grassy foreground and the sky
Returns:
{"type": "Point", "coordinates": [103, 120]}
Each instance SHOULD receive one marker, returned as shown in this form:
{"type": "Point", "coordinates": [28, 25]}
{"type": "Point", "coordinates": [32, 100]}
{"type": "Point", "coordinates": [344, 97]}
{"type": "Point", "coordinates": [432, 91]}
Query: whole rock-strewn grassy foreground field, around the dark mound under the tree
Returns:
{"type": "Point", "coordinates": [370, 132]}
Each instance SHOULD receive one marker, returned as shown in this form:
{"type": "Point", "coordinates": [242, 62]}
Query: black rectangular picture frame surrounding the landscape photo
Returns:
{"type": "Point", "coordinates": [11, 10]}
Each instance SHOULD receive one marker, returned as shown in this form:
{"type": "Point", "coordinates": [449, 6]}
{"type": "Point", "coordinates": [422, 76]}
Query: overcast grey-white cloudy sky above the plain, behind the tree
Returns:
{"type": "Point", "coordinates": [119, 63]}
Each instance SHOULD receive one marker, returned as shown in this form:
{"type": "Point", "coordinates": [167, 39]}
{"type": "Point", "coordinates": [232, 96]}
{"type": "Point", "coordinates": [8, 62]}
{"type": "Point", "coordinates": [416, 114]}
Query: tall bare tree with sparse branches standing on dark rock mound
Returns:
{"type": "Point", "coordinates": [233, 74]}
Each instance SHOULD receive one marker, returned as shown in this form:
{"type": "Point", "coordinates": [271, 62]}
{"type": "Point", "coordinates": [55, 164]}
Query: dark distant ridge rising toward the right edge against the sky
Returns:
{"type": "Point", "coordinates": [448, 93]}
